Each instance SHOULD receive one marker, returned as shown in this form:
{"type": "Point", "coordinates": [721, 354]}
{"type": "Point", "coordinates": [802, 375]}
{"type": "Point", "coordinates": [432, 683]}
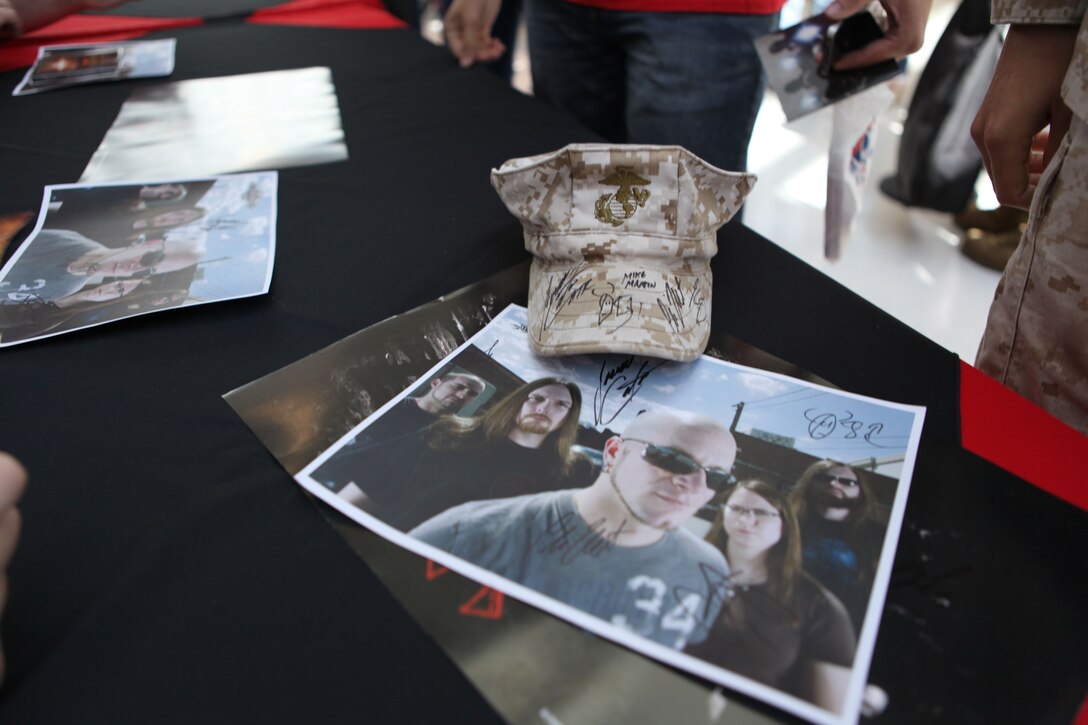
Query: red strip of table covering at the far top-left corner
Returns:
{"type": "Point", "coordinates": [22, 52]}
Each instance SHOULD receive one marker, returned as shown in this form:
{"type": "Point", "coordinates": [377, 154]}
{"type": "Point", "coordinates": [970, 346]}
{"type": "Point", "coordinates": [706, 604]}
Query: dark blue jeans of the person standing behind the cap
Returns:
{"type": "Point", "coordinates": [639, 78]}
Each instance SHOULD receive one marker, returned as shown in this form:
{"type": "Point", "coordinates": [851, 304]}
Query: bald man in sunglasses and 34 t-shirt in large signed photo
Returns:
{"type": "Point", "coordinates": [616, 550]}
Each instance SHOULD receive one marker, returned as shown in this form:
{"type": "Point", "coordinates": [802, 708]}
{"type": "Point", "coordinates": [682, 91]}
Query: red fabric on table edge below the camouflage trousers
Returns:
{"type": "Point", "coordinates": [1022, 438]}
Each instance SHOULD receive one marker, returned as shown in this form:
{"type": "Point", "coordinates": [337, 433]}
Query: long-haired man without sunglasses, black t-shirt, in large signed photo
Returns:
{"type": "Point", "coordinates": [522, 445]}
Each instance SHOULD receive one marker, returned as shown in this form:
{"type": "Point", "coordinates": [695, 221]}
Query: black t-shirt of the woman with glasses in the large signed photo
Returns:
{"type": "Point", "coordinates": [761, 638]}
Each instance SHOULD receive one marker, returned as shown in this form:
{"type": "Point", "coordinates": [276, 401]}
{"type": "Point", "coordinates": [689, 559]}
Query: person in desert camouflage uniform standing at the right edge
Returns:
{"type": "Point", "coordinates": [1036, 337]}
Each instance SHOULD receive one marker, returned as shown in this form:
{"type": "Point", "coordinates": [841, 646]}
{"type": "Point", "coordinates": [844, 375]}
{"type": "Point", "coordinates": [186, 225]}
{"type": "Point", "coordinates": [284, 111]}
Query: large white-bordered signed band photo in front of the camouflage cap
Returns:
{"type": "Point", "coordinates": [673, 596]}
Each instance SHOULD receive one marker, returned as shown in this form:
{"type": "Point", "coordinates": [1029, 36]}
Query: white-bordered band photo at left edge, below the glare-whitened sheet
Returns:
{"type": "Point", "coordinates": [103, 253]}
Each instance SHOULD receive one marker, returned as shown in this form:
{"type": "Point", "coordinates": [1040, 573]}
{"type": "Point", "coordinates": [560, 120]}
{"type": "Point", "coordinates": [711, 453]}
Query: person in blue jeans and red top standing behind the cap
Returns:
{"type": "Point", "coordinates": [675, 72]}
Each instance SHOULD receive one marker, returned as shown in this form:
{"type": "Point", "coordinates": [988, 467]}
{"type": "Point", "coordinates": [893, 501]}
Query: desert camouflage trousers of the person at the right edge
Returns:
{"type": "Point", "coordinates": [1036, 339]}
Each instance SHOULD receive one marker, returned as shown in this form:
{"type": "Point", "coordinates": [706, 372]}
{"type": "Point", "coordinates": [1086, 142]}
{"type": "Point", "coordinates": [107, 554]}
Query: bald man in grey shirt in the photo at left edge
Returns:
{"type": "Point", "coordinates": [61, 263]}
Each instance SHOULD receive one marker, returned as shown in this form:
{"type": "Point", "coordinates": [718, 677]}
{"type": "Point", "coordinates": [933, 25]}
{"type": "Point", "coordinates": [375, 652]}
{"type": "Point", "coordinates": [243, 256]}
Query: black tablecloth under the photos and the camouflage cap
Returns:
{"type": "Point", "coordinates": [170, 571]}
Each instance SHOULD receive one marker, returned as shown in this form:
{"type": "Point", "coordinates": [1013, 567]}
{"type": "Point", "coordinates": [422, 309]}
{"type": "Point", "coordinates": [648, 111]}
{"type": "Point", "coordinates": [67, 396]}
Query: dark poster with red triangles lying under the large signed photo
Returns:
{"type": "Point", "coordinates": [528, 665]}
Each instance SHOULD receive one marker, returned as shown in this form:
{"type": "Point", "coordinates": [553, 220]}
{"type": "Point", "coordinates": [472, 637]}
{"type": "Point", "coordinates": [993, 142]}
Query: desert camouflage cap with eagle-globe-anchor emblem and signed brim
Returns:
{"type": "Point", "coordinates": [622, 239]}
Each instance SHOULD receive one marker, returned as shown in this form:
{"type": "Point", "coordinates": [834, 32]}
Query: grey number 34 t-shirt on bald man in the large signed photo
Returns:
{"type": "Point", "coordinates": [670, 593]}
